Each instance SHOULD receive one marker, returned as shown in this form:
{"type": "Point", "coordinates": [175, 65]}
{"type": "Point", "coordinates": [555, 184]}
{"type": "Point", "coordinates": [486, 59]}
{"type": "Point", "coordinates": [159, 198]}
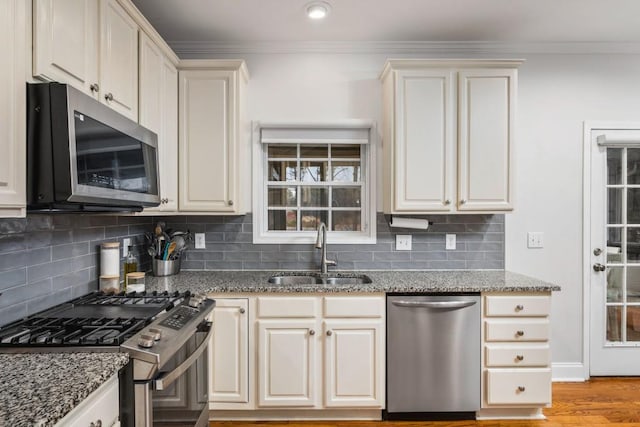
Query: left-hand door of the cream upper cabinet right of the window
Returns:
{"type": "Point", "coordinates": [424, 166]}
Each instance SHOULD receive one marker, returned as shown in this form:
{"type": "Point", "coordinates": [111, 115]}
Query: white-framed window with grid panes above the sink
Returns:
{"type": "Point", "coordinates": [313, 174]}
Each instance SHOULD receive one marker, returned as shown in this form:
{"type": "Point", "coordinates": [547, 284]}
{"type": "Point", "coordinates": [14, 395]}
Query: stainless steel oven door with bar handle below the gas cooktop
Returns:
{"type": "Point", "coordinates": [180, 395]}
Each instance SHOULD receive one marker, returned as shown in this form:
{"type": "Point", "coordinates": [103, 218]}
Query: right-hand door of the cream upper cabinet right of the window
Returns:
{"type": "Point", "coordinates": [485, 136]}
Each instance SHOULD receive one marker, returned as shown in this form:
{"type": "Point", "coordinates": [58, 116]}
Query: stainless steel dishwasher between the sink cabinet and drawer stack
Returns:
{"type": "Point", "coordinates": [433, 356]}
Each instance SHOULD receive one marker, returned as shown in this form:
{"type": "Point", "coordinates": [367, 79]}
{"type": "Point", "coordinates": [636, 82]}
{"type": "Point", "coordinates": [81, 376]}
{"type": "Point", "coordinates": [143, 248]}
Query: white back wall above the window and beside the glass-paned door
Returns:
{"type": "Point", "coordinates": [556, 94]}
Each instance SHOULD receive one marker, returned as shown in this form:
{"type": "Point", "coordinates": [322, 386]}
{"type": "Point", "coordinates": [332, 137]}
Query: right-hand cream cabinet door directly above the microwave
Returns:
{"type": "Point", "coordinates": [118, 59]}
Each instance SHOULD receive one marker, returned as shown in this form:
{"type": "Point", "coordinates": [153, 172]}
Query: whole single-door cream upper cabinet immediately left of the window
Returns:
{"type": "Point", "coordinates": [213, 136]}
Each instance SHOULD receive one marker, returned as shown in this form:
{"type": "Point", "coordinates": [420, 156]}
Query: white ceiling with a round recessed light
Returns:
{"type": "Point", "coordinates": [513, 21]}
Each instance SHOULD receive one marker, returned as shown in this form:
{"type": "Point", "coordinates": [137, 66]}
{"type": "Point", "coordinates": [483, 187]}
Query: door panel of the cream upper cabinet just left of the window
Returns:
{"type": "Point", "coordinates": [207, 141]}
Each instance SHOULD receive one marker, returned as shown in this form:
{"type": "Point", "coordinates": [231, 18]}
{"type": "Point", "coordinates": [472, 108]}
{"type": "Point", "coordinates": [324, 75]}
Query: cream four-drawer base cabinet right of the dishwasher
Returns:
{"type": "Point", "coordinates": [516, 355]}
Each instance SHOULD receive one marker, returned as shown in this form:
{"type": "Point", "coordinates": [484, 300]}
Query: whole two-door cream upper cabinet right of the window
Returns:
{"type": "Point", "coordinates": [448, 135]}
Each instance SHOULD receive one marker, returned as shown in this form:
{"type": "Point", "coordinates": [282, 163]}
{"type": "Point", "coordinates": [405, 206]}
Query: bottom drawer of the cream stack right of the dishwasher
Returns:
{"type": "Point", "coordinates": [518, 386]}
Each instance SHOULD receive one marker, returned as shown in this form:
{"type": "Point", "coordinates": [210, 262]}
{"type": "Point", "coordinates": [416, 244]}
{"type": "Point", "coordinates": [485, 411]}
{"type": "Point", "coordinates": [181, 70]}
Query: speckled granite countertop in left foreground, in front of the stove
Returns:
{"type": "Point", "coordinates": [39, 389]}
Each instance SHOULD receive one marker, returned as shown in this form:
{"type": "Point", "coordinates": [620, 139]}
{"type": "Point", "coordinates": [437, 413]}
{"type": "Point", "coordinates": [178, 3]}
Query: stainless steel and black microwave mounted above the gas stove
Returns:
{"type": "Point", "coordinates": [83, 156]}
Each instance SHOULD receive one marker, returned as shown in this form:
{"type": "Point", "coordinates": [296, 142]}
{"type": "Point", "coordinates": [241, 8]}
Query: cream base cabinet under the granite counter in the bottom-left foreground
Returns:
{"type": "Point", "coordinates": [100, 408]}
